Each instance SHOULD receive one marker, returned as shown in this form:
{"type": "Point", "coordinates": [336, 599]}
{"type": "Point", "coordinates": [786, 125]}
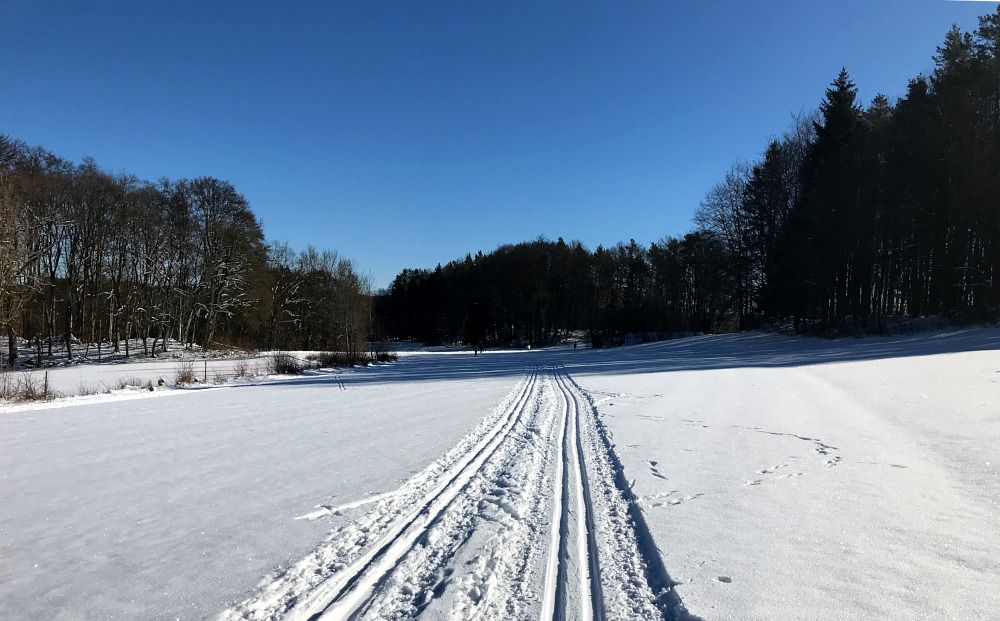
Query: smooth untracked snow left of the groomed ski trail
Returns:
{"type": "Point", "coordinates": [172, 508]}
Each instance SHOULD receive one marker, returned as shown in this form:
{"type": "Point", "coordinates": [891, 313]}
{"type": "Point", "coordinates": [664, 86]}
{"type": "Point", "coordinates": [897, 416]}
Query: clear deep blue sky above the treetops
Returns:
{"type": "Point", "coordinates": [409, 133]}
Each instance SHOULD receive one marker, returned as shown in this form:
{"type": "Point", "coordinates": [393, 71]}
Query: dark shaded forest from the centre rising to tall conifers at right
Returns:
{"type": "Point", "coordinates": [858, 214]}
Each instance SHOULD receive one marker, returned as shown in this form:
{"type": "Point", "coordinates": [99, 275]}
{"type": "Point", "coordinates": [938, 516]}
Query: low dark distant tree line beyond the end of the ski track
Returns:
{"type": "Point", "coordinates": [541, 291]}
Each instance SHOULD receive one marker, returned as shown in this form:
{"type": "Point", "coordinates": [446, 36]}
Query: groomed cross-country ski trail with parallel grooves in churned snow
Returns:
{"type": "Point", "coordinates": [526, 518]}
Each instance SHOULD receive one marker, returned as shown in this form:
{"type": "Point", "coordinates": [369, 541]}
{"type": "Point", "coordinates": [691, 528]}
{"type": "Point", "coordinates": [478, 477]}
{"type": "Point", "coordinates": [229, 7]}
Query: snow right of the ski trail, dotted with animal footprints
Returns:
{"type": "Point", "coordinates": [810, 490]}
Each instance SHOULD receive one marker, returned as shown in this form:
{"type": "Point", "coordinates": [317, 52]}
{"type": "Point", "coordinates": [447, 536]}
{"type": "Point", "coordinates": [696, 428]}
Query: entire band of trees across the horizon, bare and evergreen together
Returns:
{"type": "Point", "coordinates": [856, 215]}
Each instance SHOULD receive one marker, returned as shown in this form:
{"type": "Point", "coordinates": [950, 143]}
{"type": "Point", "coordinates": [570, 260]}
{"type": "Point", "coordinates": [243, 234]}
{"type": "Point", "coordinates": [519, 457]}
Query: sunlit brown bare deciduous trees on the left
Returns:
{"type": "Point", "coordinates": [89, 257]}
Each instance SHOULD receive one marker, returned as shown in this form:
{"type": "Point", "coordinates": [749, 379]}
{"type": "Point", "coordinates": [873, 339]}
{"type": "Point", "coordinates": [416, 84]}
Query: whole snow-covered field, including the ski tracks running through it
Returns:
{"type": "Point", "coordinates": [719, 477]}
